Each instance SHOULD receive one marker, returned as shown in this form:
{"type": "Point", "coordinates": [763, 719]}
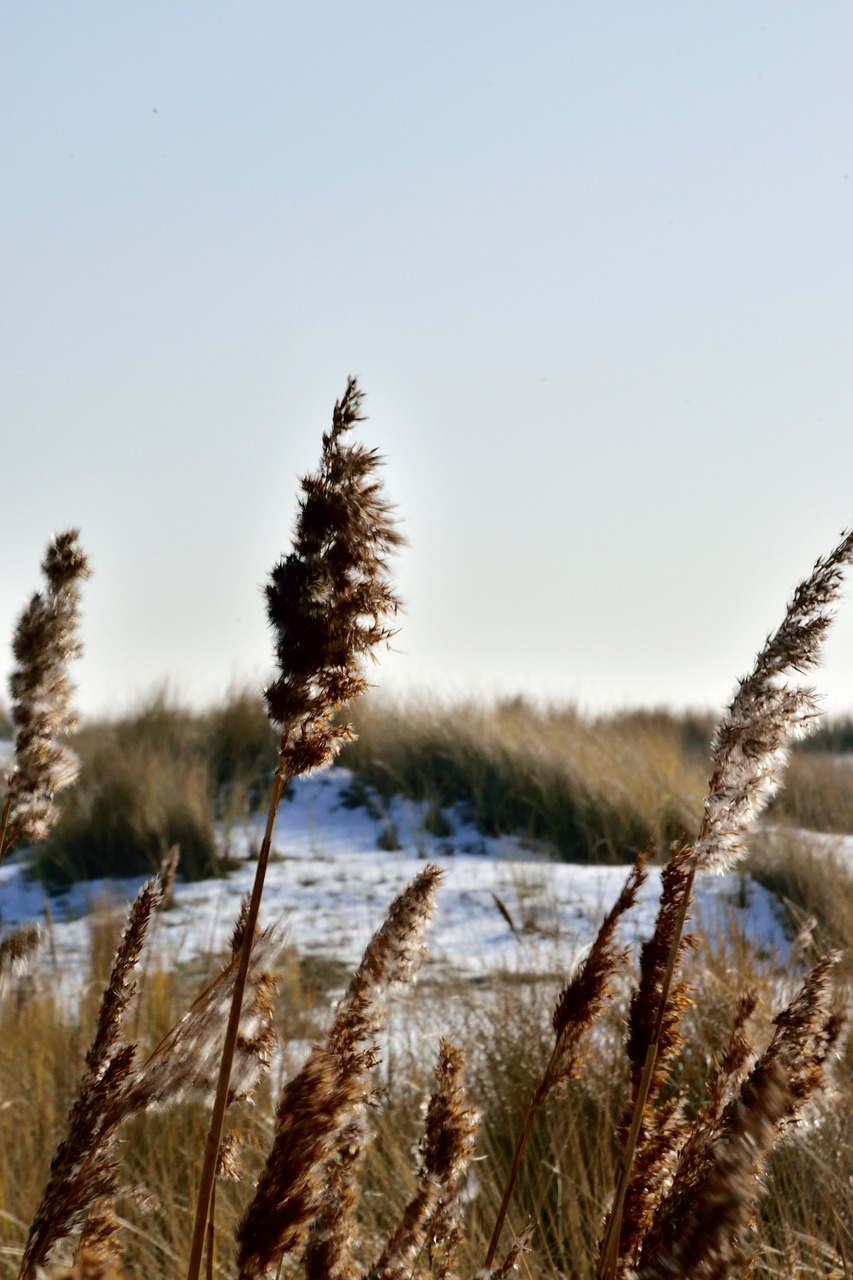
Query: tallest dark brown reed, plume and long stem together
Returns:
{"type": "Point", "coordinates": [327, 605]}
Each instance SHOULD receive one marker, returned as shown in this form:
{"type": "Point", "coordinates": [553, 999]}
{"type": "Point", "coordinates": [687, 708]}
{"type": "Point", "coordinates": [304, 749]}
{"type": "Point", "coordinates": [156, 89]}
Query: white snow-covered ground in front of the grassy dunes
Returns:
{"type": "Point", "coordinates": [330, 884]}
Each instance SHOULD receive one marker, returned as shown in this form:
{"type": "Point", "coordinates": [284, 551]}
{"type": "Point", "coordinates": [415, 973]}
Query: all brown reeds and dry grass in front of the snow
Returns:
{"type": "Point", "coordinates": [635, 1137]}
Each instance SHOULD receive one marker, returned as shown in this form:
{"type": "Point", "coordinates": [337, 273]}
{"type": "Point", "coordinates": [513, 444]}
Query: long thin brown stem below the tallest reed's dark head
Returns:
{"type": "Point", "coordinates": [221, 1103]}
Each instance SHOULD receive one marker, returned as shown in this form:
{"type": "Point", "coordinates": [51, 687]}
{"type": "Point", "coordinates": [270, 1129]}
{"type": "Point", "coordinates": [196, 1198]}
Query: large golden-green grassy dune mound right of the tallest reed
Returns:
{"type": "Point", "coordinates": [592, 790]}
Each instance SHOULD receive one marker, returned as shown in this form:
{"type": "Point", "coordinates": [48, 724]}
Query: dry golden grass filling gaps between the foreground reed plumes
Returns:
{"type": "Point", "coordinates": [569, 1168]}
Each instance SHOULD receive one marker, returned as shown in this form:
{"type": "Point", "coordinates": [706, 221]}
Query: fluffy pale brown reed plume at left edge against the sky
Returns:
{"type": "Point", "coordinates": [44, 644]}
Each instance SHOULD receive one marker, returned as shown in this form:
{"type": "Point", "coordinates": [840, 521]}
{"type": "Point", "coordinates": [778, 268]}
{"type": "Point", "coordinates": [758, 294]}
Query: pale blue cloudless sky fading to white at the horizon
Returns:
{"type": "Point", "coordinates": [591, 263]}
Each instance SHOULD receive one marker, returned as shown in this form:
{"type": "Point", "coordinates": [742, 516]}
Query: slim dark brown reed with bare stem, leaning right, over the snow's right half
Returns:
{"type": "Point", "coordinates": [580, 1004]}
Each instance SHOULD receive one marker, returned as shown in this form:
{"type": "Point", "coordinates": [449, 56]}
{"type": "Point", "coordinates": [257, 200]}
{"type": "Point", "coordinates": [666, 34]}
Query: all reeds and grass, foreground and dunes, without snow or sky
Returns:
{"type": "Point", "coordinates": [681, 1112]}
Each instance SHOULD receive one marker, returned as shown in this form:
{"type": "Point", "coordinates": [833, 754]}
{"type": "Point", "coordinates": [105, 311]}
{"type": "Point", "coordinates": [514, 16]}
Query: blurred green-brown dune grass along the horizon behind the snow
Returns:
{"type": "Point", "coordinates": [587, 789]}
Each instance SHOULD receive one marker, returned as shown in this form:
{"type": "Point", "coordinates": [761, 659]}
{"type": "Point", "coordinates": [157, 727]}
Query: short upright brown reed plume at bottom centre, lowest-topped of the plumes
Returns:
{"type": "Point", "coordinates": [432, 1220]}
